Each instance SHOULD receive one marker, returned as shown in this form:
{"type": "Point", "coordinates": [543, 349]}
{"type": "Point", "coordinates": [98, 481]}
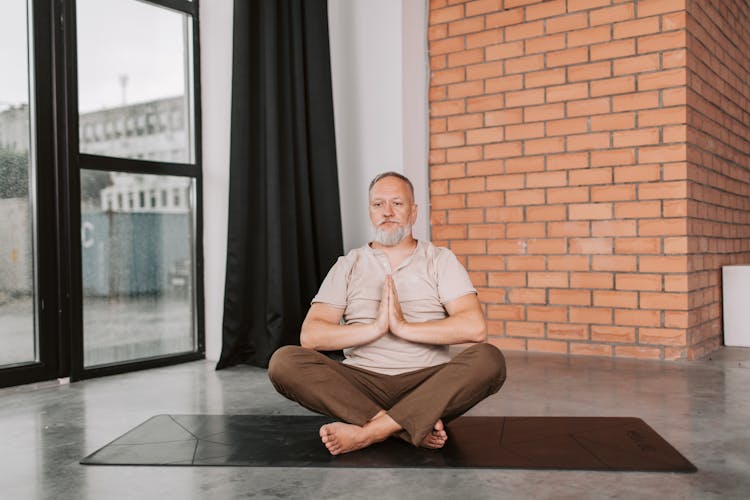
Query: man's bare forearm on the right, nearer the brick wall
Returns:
{"type": "Point", "coordinates": [457, 329]}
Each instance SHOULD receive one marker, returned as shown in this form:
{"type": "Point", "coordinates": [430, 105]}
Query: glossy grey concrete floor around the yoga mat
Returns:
{"type": "Point", "coordinates": [701, 407]}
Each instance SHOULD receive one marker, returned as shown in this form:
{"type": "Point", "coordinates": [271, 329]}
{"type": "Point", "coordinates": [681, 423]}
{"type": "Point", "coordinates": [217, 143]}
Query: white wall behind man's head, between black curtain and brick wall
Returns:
{"type": "Point", "coordinates": [379, 61]}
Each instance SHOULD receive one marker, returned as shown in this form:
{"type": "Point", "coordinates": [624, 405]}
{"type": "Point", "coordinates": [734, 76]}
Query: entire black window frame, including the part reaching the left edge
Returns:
{"type": "Point", "coordinates": [58, 166]}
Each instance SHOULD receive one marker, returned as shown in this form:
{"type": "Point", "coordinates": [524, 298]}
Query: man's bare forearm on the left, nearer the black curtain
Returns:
{"type": "Point", "coordinates": [324, 336]}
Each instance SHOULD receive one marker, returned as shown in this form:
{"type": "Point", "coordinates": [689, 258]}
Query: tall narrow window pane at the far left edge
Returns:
{"type": "Point", "coordinates": [17, 285]}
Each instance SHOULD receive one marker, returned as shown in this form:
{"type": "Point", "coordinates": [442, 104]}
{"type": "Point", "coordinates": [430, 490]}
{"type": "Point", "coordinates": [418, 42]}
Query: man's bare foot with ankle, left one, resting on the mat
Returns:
{"type": "Point", "coordinates": [340, 437]}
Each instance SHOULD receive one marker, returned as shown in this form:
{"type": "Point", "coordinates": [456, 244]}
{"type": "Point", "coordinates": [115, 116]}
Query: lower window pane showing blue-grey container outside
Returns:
{"type": "Point", "coordinates": [137, 261]}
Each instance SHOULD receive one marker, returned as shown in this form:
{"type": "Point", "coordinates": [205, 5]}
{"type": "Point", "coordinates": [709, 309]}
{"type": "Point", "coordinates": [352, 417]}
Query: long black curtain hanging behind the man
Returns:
{"type": "Point", "coordinates": [284, 216]}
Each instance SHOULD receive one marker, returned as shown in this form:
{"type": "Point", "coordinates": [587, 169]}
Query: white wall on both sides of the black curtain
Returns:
{"type": "Point", "coordinates": [379, 66]}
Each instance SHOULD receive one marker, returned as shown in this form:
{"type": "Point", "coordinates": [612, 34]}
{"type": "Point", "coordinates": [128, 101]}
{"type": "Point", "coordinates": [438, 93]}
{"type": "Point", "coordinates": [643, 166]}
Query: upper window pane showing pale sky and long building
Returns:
{"type": "Point", "coordinates": [135, 81]}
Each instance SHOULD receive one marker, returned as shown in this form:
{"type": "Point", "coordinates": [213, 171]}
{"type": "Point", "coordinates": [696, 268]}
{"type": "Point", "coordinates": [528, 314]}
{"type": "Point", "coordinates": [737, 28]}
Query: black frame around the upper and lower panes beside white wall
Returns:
{"type": "Point", "coordinates": [75, 161]}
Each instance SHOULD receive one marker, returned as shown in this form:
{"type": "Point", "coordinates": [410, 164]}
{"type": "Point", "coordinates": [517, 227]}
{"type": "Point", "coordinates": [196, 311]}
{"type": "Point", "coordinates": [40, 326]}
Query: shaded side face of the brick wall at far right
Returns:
{"type": "Point", "coordinates": [718, 130]}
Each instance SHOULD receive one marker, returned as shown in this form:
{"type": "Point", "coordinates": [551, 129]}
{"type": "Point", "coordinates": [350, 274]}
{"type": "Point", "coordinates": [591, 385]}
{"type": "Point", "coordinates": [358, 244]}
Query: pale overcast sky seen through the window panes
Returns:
{"type": "Point", "coordinates": [115, 37]}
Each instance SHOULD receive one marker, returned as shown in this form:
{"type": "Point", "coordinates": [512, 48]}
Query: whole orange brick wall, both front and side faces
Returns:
{"type": "Point", "coordinates": [591, 204]}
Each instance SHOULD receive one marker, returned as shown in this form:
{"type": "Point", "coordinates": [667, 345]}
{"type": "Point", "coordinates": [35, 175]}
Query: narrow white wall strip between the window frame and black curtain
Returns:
{"type": "Point", "coordinates": [216, 87]}
